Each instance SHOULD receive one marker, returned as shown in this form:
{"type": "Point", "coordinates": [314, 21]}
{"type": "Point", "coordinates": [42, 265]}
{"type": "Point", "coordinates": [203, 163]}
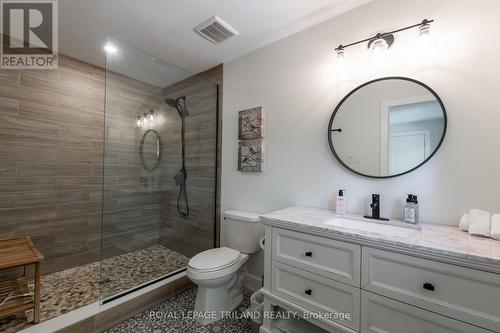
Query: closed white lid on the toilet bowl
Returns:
{"type": "Point", "coordinates": [214, 259]}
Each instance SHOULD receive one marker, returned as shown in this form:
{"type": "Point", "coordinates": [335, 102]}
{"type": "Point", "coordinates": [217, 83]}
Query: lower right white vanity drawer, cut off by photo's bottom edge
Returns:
{"type": "Point", "coordinates": [381, 314]}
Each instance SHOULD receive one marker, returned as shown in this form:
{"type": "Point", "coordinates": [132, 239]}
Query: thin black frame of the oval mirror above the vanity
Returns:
{"type": "Point", "coordinates": [330, 123]}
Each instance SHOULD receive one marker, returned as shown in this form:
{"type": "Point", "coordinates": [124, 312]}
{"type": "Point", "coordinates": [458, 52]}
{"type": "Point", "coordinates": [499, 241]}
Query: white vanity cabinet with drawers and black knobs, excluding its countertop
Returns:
{"type": "Point", "coordinates": [382, 289]}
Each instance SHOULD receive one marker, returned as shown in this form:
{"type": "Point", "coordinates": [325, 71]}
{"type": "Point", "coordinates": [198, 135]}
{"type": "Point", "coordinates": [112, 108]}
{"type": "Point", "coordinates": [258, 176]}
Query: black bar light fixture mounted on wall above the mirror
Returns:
{"type": "Point", "coordinates": [384, 40]}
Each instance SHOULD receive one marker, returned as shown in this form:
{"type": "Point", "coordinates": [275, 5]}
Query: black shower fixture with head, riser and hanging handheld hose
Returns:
{"type": "Point", "coordinates": [181, 177]}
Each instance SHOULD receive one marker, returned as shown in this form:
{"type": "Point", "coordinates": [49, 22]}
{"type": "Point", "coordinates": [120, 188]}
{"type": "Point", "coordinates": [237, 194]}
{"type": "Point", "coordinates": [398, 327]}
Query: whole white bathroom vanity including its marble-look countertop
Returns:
{"type": "Point", "coordinates": [340, 275]}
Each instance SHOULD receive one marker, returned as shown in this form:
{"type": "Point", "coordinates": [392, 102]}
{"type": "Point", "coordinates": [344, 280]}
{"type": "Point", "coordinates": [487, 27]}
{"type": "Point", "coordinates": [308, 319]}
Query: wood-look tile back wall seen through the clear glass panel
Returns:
{"type": "Point", "coordinates": [132, 196]}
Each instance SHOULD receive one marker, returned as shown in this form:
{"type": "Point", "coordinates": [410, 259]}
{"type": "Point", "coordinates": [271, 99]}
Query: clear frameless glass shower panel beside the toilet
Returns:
{"type": "Point", "coordinates": [158, 210]}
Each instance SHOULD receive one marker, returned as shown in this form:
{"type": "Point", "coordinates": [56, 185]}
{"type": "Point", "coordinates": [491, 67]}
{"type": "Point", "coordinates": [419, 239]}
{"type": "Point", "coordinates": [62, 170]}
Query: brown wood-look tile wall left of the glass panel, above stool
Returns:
{"type": "Point", "coordinates": [51, 130]}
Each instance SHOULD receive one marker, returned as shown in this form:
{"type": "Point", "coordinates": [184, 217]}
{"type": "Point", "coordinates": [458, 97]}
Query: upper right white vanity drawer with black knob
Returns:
{"type": "Point", "coordinates": [466, 294]}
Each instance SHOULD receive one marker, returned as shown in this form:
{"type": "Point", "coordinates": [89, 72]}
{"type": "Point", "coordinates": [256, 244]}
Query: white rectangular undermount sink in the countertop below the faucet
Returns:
{"type": "Point", "coordinates": [375, 227]}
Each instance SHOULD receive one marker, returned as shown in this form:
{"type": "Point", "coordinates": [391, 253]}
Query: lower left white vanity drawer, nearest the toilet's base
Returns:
{"type": "Point", "coordinates": [317, 293]}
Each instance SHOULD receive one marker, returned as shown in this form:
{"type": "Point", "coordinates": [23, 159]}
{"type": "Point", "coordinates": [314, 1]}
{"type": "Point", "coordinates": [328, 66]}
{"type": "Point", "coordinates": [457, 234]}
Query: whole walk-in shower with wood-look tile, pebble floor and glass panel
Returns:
{"type": "Point", "coordinates": [100, 185]}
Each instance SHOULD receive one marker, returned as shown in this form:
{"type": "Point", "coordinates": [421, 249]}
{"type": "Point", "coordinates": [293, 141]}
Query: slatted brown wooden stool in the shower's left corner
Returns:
{"type": "Point", "coordinates": [19, 252]}
